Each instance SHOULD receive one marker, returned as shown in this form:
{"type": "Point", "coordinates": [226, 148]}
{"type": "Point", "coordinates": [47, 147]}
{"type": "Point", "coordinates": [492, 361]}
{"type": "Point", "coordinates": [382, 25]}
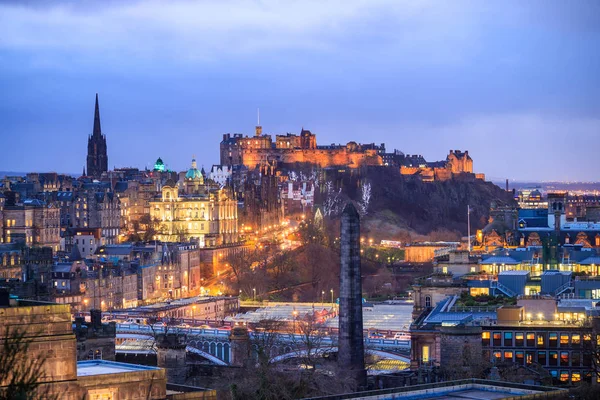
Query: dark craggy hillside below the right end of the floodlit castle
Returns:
{"type": "Point", "coordinates": [405, 208]}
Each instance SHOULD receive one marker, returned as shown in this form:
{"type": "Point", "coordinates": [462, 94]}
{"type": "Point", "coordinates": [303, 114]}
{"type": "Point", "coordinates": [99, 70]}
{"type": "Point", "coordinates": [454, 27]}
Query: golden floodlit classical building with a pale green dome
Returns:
{"type": "Point", "coordinates": [194, 209]}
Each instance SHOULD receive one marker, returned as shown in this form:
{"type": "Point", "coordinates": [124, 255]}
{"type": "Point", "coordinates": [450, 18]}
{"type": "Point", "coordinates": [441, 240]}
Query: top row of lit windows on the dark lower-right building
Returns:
{"type": "Point", "coordinates": [535, 339]}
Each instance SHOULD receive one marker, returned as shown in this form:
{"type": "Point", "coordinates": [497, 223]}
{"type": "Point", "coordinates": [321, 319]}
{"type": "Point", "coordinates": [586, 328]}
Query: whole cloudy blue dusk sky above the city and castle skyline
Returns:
{"type": "Point", "coordinates": [517, 83]}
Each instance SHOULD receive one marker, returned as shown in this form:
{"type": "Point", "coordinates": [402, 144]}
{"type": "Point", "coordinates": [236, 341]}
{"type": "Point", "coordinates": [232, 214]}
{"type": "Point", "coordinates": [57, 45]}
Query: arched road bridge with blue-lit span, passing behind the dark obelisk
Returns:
{"type": "Point", "coordinates": [214, 345]}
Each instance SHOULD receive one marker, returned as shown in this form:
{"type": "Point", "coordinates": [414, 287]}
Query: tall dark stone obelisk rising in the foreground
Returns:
{"type": "Point", "coordinates": [351, 352]}
